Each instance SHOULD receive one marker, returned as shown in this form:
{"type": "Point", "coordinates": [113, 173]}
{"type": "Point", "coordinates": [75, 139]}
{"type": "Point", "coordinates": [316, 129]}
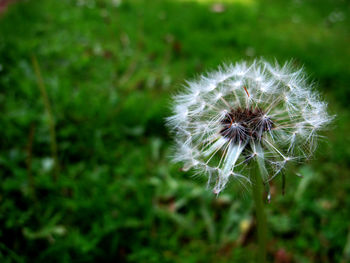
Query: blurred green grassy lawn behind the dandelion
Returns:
{"type": "Point", "coordinates": [84, 153]}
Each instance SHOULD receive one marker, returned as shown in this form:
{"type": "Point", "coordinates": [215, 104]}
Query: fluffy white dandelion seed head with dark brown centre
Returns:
{"type": "Point", "coordinates": [245, 113]}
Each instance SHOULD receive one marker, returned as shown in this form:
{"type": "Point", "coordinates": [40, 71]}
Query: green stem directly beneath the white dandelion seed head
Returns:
{"type": "Point", "coordinates": [260, 214]}
